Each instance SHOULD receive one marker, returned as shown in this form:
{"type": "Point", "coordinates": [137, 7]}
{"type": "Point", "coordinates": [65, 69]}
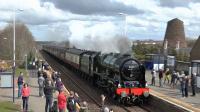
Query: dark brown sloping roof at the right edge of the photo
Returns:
{"type": "Point", "coordinates": [195, 52]}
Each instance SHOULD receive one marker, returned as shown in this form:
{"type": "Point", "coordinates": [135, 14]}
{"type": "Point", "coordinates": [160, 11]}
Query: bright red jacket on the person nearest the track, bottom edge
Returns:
{"type": "Point", "coordinates": [62, 101]}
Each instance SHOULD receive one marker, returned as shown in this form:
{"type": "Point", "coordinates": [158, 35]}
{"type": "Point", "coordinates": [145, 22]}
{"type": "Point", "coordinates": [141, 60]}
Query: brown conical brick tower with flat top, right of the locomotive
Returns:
{"type": "Point", "coordinates": [175, 34]}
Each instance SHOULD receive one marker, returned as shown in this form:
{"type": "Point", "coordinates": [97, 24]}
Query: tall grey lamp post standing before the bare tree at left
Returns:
{"type": "Point", "coordinates": [14, 52]}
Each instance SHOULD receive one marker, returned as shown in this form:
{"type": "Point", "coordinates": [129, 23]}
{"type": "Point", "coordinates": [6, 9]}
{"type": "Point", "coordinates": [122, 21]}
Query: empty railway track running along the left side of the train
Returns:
{"type": "Point", "coordinates": [86, 92]}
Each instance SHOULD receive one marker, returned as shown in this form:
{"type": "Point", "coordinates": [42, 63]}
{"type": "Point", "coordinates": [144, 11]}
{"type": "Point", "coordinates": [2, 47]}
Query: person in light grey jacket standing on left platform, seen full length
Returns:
{"type": "Point", "coordinates": [41, 81]}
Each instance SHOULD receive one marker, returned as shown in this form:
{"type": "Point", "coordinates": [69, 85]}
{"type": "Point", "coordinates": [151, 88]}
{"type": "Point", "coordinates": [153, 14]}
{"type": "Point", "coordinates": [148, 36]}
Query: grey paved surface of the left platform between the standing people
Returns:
{"type": "Point", "coordinates": [36, 103]}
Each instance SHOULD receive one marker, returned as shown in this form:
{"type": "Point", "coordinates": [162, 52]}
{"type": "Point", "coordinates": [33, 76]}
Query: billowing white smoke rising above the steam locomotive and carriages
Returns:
{"type": "Point", "coordinates": [104, 37]}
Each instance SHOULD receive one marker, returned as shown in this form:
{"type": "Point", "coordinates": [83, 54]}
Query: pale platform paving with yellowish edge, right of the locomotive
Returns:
{"type": "Point", "coordinates": [174, 93]}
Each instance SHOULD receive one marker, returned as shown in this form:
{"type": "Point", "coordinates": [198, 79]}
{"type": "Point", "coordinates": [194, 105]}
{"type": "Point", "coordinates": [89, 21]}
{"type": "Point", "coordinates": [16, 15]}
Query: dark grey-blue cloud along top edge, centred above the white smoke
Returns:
{"type": "Point", "coordinates": [95, 7]}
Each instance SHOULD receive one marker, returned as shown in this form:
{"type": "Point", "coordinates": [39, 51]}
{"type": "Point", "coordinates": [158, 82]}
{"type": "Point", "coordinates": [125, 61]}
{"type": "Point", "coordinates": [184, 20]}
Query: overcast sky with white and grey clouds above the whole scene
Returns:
{"type": "Point", "coordinates": [62, 19]}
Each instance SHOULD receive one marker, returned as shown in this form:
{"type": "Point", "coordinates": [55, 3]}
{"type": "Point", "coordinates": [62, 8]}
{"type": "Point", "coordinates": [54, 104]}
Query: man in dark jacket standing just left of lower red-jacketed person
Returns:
{"type": "Point", "coordinates": [48, 91]}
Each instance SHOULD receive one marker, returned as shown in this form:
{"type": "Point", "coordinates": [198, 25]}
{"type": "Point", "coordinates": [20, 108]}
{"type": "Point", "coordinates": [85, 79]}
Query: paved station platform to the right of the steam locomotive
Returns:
{"type": "Point", "coordinates": [174, 95]}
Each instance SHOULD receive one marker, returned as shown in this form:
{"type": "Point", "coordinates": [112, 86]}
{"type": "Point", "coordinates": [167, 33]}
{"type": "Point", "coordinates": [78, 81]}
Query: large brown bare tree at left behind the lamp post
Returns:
{"type": "Point", "coordinates": [25, 43]}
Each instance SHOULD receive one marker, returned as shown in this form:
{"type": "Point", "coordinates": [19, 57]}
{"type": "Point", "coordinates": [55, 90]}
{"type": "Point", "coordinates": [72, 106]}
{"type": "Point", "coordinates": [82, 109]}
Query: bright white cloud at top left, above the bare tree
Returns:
{"type": "Point", "coordinates": [32, 12]}
